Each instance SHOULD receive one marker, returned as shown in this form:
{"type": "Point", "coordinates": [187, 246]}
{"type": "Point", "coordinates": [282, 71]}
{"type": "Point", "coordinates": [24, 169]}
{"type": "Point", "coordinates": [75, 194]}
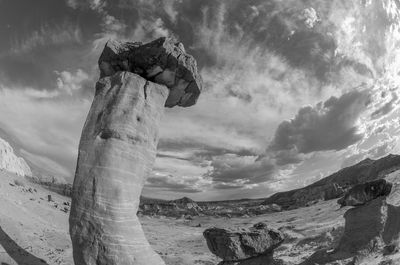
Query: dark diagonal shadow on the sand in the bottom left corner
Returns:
{"type": "Point", "coordinates": [18, 254]}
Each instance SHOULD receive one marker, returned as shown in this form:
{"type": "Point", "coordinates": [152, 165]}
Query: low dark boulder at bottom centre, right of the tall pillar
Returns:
{"type": "Point", "coordinates": [234, 245]}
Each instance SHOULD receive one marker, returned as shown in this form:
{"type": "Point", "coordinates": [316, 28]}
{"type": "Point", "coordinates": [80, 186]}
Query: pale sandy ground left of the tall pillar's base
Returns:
{"type": "Point", "coordinates": [31, 228]}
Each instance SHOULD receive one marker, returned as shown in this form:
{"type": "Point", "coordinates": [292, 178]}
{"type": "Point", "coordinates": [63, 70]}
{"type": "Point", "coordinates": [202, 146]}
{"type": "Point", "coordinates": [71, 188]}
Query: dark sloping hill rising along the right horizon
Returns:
{"type": "Point", "coordinates": [336, 184]}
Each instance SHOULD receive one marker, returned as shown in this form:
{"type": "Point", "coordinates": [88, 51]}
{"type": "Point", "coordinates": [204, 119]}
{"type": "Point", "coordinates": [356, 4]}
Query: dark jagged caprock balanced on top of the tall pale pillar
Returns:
{"type": "Point", "coordinates": [161, 61]}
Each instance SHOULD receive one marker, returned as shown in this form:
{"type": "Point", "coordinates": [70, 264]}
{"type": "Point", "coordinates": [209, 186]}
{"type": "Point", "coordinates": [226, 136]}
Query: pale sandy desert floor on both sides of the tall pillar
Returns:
{"type": "Point", "coordinates": [34, 231]}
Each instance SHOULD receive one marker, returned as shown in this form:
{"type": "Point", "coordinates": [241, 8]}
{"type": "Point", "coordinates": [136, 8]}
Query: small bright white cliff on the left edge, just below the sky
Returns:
{"type": "Point", "coordinates": [11, 162]}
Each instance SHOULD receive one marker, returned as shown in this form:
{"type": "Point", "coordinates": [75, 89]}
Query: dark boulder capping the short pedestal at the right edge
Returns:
{"type": "Point", "coordinates": [363, 193]}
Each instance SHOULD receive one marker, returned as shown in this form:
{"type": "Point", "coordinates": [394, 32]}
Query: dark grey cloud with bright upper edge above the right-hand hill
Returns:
{"type": "Point", "coordinates": [330, 125]}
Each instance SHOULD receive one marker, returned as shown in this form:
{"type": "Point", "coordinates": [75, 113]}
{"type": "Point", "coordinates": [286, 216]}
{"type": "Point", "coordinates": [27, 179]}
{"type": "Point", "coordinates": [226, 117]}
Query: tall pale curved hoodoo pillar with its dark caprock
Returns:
{"type": "Point", "coordinates": [118, 147]}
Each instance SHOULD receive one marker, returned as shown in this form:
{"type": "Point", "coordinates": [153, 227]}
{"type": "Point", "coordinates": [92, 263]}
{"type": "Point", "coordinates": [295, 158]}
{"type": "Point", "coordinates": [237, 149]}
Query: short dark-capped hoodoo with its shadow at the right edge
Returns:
{"type": "Point", "coordinates": [371, 228]}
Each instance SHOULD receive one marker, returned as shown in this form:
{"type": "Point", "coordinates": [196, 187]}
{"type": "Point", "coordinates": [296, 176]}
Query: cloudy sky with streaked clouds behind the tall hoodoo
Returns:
{"type": "Point", "coordinates": [294, 89]}
